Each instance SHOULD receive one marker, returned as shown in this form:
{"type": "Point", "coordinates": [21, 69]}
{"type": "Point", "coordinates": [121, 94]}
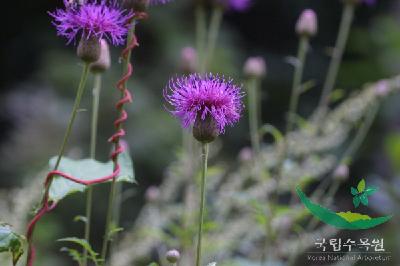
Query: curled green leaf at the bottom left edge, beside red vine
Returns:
{"type": "Point", "coordinates": [11, 242]}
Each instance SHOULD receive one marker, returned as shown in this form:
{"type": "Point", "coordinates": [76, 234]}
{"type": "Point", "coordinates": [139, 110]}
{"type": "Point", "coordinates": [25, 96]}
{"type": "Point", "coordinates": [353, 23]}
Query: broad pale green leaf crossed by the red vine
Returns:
{"type": "Point", "coordinates": [86, 169]}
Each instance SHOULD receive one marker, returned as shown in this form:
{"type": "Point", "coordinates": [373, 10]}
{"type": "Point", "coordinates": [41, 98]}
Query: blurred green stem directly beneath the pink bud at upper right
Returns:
{"type": "Point", "coordinates": [296, 86]}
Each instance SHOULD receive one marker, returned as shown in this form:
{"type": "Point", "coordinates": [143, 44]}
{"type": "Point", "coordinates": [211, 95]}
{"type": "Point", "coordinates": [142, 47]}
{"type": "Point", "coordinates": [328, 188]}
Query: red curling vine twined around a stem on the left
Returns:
{"type": "Point", "coordinates": [126, 97]}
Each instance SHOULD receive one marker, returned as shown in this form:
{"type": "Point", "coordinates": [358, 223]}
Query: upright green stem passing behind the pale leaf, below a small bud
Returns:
{"type": "Point", "coordinates": [93, 141]}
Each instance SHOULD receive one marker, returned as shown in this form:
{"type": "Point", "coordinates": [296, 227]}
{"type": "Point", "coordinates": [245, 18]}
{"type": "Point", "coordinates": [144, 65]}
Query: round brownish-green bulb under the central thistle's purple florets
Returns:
{"type": "Point", "coordinates": [206, 130]}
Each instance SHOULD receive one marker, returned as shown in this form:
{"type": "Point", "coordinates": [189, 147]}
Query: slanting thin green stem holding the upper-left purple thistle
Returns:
{"type": "Point", "coordinates": [75, 109]}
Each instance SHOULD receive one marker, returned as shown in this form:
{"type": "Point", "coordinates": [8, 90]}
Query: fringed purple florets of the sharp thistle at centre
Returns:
{"type": "Point", "coordinates": [195, 96]}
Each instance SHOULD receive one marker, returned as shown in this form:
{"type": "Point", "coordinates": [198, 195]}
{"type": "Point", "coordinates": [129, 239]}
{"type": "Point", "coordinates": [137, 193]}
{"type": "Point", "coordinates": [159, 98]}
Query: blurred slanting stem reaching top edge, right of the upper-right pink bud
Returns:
{"type": "Point", "coordinates": [344, 30]}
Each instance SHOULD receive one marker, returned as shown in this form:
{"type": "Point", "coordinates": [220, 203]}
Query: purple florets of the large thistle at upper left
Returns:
{"type": "Point", "coordinates": [94, 18]}
